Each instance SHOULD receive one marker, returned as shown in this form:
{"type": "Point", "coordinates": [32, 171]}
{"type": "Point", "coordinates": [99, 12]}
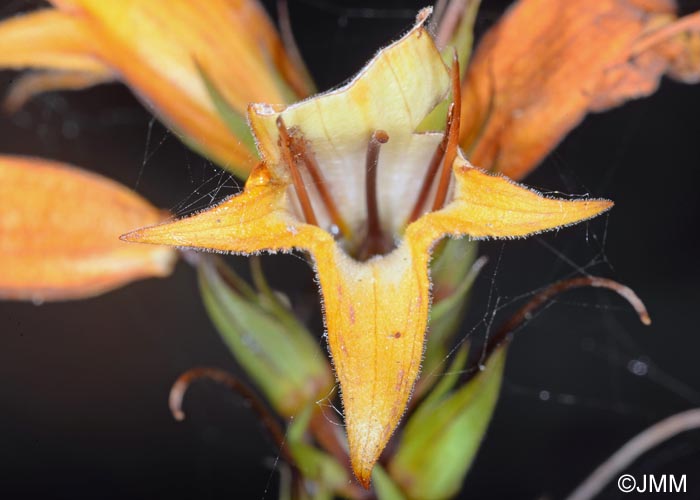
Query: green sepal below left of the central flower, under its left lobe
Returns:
{"type": "Point", "coordinates": [277, 352]}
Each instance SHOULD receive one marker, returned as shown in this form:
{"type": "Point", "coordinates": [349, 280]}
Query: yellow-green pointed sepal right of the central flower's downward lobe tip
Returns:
{"type": "Point", "coordinates": [442, 437]}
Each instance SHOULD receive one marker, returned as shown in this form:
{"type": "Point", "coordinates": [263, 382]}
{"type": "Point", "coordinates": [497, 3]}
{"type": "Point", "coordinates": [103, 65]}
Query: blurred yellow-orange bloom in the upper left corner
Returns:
{"type": "Point", "coordinates": [164, 50]}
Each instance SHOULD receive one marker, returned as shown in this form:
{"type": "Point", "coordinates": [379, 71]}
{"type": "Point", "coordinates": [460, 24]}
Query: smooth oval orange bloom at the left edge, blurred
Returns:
{"type": "Point", "coordinates": [59, 229]}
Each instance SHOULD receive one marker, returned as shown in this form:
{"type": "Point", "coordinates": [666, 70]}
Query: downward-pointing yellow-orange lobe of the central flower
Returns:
{"type": "Point", "coordinates": [376, 315]}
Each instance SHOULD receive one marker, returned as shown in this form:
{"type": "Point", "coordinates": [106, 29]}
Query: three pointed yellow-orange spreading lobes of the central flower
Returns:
{"type": "Point", "coordinates": [376, 311]}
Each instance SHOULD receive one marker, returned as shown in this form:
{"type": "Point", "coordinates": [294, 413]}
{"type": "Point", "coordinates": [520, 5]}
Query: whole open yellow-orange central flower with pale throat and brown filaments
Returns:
{"type": "Point", "coordinates": [346, 178]}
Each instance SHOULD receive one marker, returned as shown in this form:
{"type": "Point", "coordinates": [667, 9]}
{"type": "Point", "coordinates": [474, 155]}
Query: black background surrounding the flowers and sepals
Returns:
{"type": "Point", "coordinates": [84, 385]}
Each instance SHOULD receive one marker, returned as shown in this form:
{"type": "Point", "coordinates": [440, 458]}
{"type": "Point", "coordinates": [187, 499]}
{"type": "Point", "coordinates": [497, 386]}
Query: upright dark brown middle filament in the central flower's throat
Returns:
{"type": "Point", "coordinates": [374, 243]}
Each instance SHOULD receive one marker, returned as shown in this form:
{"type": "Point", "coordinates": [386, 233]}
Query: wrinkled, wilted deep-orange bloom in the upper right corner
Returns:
{"type": "Point", "coordinates": [547, 63]}
